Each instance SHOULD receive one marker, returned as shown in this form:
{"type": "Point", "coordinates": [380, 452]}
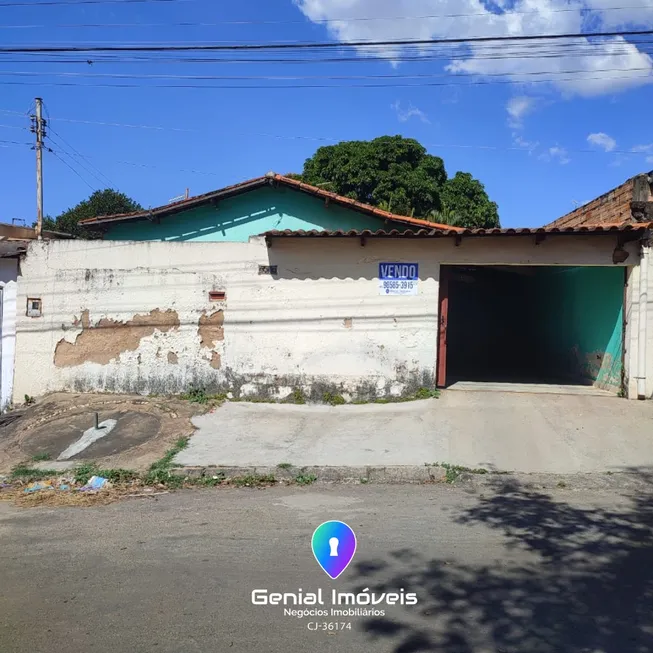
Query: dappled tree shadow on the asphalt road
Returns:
{"type": "Point", "coordinates": [580, 581]}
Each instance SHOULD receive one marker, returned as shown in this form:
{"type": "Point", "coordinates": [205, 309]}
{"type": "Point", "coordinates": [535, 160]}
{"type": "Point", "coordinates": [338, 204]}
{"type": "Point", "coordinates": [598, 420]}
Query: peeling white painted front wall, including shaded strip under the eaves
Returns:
{"type": "Point", "coordinates": [279, 333]}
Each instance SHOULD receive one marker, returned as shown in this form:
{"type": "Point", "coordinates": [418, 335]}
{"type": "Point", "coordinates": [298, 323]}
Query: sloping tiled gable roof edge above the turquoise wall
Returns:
{"type": "Point", "coordinates": [253, 184]}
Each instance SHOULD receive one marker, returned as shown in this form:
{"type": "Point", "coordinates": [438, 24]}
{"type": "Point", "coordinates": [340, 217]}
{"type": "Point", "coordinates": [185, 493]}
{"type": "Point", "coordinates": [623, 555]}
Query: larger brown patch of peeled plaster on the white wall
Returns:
{"type": "Point", "coordinates": [108, 339]}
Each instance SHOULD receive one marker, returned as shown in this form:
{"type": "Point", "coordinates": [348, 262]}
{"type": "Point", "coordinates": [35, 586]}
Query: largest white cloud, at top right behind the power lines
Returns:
{"type": "Point", "coordinates": [588, 68]}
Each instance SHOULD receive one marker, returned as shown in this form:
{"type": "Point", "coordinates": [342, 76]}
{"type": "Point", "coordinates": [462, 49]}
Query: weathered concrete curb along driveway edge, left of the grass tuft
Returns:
{"type": "Point", "coordinates": [322, 474]}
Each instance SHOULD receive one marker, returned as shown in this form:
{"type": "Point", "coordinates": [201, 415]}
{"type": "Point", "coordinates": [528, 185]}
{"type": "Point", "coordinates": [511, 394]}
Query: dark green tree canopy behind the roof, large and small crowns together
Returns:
{"type": "Point", "coordinates": [398, 175]}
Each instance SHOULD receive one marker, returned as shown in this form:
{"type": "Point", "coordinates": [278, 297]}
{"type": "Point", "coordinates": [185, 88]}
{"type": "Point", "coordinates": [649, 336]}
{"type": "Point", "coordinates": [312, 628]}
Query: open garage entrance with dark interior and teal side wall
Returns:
{"type": "Point", "coordinates": [533, 325]}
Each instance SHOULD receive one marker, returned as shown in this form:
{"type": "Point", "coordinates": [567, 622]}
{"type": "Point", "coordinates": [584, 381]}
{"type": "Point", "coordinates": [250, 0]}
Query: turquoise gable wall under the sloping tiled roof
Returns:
{"type": "Point", "coordinates": [250, 214]}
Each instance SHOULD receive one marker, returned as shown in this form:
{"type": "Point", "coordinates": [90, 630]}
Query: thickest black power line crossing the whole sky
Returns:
{"type": "Point", "coordinates": [321, 45]}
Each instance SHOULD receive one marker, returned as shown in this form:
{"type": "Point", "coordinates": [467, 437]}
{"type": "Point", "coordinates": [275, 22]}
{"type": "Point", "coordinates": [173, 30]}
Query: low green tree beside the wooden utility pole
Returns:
{"type": "Point", "coordinates": [101, 202]}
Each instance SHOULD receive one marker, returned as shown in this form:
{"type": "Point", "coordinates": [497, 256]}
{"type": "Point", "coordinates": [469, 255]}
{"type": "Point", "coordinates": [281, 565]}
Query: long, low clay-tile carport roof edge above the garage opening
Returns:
{"type": "Point", "coordinates": [439, 231]}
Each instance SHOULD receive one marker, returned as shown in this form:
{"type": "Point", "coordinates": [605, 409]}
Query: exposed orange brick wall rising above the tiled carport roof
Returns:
{"type": "Point", "coordinates": [613, 207]}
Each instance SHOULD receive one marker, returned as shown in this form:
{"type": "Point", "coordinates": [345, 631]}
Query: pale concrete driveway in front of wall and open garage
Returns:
{"type": "Point", "coordinates": [543, 433]}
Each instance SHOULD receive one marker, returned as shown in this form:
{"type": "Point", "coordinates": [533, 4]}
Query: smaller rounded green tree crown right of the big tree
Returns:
{"type": "Point", "coordinates": [465, 196]}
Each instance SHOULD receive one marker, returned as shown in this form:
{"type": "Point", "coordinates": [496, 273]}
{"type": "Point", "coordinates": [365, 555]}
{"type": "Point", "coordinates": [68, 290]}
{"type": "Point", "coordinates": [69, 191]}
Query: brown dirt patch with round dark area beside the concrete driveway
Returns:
{"type": "Point", "coordinates": [146, 428]}
